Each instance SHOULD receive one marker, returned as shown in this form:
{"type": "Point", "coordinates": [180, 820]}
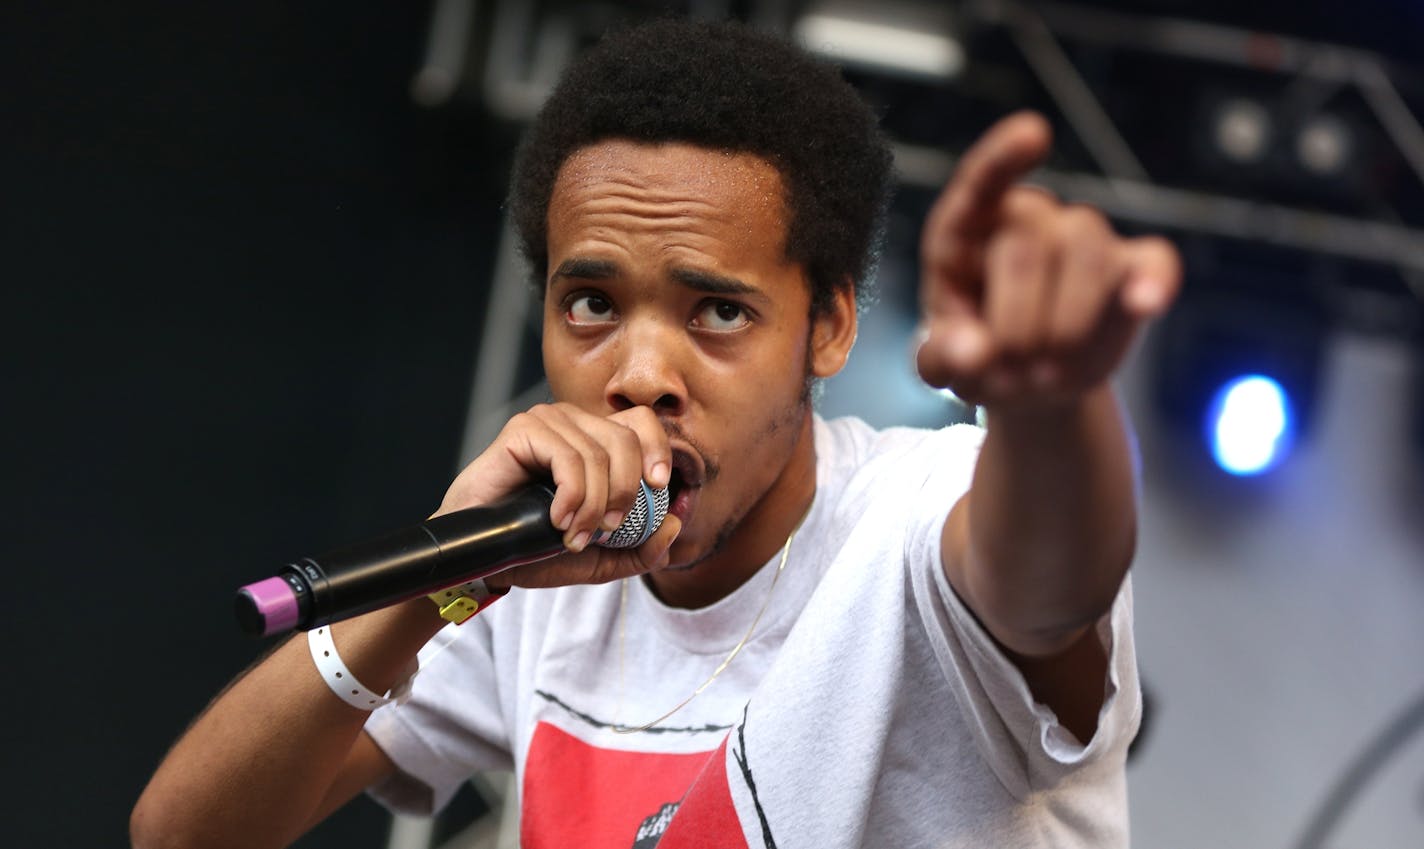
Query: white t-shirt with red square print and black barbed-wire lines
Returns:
{"type": "Point", "coordinates": [869, 709]}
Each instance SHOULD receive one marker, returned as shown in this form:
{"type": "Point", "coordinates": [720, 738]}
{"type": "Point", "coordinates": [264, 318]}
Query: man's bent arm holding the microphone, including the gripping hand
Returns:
{"type": "Point", "coordinates": [278, 751]}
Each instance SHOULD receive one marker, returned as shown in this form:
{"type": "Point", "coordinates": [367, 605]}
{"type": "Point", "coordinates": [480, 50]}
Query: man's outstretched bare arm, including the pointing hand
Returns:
{"type": "Point", "coordinates": [1030, 308]}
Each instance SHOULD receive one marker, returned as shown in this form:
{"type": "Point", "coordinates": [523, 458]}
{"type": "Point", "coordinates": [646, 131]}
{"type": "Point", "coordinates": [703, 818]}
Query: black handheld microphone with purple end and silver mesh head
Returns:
{"type": "Point", "coordinates": [418, 561]}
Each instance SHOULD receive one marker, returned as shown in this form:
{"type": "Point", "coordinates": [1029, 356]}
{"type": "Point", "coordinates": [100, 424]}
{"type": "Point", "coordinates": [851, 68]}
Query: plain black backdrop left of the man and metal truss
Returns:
{"type": "Point", "coordinates": [243, 293]}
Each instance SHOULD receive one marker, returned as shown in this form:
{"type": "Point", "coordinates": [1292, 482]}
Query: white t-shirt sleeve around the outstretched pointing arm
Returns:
{"type": "Point", "coordinates": [1019, 737]}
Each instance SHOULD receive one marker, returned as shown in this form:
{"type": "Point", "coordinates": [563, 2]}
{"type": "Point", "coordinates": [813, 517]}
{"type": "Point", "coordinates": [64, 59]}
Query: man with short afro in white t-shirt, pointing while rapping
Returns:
{"type": "Point", "coordinates": [838, 637]}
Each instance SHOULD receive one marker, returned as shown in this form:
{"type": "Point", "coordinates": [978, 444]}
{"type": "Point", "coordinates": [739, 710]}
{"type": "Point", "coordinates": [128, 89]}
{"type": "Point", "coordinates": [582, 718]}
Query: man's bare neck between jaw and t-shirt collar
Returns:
{"type": "Point", "coordinates": [760, 535]}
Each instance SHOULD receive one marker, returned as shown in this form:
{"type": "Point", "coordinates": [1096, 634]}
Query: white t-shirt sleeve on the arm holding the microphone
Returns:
{"type": "Point", "coordinates": [451, 727]}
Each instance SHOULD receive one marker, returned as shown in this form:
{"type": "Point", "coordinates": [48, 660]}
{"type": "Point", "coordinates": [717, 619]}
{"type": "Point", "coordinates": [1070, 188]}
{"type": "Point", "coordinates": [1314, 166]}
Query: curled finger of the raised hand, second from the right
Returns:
{"type": "Point", "coordinates": [1091, 271]}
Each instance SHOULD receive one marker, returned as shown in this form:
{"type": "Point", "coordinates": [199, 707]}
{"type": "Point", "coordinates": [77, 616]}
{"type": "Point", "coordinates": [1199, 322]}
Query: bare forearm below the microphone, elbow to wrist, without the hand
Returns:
{"type": "Point", "coordinates": [278, 751]}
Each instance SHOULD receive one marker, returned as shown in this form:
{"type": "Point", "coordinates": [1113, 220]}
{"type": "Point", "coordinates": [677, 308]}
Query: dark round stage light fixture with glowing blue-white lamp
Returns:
{"type": "Point", "coordinates": [1238, 375]}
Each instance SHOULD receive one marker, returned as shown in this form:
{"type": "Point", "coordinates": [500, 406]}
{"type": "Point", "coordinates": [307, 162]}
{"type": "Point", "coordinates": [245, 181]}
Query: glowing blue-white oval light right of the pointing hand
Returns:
{"type": "Point", "coordinates": [1251, 425]}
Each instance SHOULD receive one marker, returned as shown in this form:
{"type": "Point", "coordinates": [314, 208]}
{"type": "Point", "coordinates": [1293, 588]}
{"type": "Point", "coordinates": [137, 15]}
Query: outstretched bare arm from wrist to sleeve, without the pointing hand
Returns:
{"type": "Point", "coordinates": [1040, 545]}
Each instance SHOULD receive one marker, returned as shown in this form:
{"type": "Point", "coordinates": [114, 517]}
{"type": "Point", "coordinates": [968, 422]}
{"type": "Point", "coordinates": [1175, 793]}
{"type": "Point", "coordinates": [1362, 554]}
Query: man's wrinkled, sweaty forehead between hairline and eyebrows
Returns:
{"type": "Point", "coordinates": [671, 179]}
